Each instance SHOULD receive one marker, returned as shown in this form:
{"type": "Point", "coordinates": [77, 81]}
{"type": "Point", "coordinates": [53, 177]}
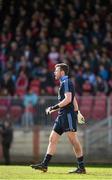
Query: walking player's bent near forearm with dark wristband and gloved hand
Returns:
{"type": "Point", "coordinates": [64, 102]}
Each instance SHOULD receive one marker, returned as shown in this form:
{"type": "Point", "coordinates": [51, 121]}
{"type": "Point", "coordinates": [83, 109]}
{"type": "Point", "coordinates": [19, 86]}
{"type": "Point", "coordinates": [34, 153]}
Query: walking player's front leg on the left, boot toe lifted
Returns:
{"type": "Point", "coordinates": [53, 140]}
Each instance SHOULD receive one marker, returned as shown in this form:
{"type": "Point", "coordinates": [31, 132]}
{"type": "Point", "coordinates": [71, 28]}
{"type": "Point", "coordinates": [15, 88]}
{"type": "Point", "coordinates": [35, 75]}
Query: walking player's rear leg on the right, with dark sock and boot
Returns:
{"type": "Point", "coordinates": [77, 148]}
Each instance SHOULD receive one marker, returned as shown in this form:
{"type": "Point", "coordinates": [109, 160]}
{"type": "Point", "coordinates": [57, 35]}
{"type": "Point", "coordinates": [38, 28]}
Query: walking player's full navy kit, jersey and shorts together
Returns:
{"type": "Point", "coordinates": [67, 118]}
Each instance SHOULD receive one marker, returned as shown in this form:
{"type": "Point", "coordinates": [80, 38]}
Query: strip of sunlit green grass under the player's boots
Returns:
{"type": "Point", "coordinates": [54, 172]}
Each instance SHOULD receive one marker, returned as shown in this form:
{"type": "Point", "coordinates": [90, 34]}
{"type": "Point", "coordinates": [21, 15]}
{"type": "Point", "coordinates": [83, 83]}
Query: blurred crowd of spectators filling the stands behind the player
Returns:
{"type": "Point", "coordinates": [35, 35]}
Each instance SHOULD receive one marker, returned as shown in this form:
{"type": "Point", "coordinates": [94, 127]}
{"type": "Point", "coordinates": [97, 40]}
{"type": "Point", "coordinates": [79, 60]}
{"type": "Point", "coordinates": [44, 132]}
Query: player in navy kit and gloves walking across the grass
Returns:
{"type": "Point", "coordinates": [66, 121]}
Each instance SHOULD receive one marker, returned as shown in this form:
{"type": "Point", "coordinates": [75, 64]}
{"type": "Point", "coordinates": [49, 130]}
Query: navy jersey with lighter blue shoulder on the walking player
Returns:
{"type": "Point", "coordinates": [66, 85]}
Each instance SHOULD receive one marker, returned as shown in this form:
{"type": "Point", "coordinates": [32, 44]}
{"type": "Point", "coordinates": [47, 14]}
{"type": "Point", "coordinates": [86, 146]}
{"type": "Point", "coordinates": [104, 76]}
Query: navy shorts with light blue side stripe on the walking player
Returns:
{"type": "Point", "coordinates": [65, 122]}
